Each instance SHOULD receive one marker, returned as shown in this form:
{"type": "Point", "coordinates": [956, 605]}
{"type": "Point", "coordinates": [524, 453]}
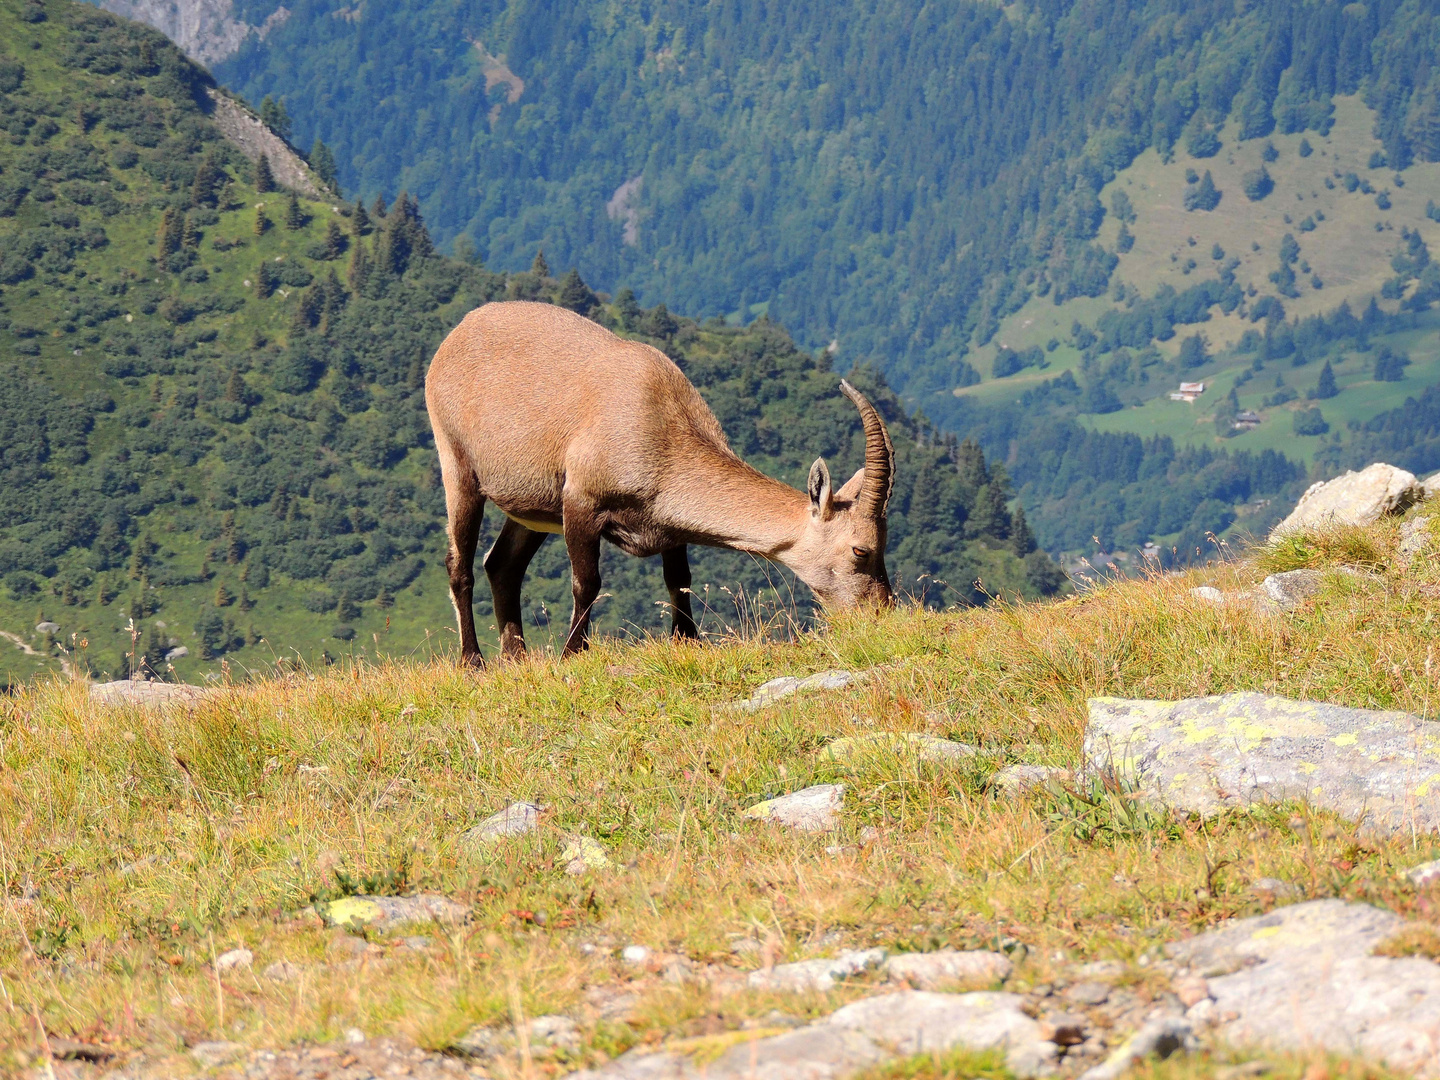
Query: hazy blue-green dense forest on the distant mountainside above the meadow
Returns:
{"type": "Point", "coordinates": [892, 176]}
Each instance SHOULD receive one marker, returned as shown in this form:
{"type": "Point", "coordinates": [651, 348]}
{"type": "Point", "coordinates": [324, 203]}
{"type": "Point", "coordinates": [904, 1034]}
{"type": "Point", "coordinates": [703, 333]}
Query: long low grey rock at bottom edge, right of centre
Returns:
{"type": "Point", "coordinates": [853, 1039]}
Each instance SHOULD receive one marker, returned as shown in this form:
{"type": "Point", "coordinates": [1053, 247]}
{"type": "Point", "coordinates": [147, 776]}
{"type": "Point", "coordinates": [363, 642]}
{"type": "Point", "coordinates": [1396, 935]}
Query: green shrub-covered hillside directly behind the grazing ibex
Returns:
{"type": "Point", "coordinates": [212, 395]}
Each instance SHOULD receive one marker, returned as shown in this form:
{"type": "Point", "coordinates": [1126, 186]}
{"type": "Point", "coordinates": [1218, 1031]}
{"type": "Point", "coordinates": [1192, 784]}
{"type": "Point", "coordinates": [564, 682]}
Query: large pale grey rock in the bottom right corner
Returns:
{"type": "Point", "coordinates": [1305, 977]}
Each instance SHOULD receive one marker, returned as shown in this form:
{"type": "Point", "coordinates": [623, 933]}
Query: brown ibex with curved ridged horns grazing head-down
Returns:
{"type": "Point", "coordinates": [572, 430]}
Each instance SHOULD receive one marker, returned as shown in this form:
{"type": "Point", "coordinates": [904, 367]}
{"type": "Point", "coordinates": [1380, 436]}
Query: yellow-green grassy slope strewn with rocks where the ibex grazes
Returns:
{"type": "Point", "coordinates": [168, 839]}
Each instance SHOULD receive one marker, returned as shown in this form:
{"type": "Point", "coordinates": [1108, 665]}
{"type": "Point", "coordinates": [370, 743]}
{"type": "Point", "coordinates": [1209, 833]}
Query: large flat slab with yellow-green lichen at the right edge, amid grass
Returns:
{"type": "Point", "coordinates": [1207, 754]}
